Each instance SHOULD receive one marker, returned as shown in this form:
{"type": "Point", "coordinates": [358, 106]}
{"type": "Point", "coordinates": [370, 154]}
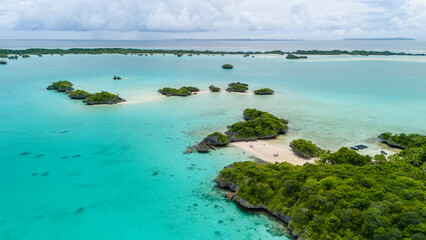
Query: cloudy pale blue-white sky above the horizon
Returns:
{"type": "Point", "coordinates": [158, 19]}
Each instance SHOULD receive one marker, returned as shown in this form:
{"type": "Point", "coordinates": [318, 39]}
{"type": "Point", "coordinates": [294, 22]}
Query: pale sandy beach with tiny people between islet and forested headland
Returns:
{"type": "Point", "coordinates": [265, 151]}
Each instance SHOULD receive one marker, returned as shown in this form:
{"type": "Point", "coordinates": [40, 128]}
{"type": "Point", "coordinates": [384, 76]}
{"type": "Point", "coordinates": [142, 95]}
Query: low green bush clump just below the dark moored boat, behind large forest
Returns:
{"type": "Point", "coordinates": [345, 156]}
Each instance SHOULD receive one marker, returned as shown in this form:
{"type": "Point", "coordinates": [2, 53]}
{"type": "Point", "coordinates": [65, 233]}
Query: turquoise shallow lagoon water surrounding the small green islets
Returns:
{"type": "Point", "coordinates": [71, 171]}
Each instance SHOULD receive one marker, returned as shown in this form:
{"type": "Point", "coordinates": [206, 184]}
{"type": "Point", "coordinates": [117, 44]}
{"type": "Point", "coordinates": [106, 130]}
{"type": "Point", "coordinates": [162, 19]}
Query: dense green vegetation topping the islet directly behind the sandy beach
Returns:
{"type": "Point", "coordinates": [258, 125]}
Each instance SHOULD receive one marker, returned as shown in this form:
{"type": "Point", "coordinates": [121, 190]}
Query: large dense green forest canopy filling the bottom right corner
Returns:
{"type": "Point", "coordinates": [374, 201]}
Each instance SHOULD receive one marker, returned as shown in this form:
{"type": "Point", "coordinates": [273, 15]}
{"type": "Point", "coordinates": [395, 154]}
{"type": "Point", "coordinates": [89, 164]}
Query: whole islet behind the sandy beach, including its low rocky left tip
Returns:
{"type": "Point", "coordinates": [257, 125]}
